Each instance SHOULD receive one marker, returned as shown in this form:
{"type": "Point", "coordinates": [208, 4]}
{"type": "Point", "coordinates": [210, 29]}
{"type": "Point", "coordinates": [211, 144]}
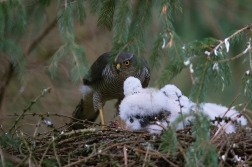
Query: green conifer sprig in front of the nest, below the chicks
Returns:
{"type": "Point", "coordinates": [201, 152]}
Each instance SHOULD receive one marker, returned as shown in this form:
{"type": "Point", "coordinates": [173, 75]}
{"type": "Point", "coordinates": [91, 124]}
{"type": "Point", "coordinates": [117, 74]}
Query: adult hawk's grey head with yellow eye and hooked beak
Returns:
{"type": "Point", "coordinates": [123, 61]}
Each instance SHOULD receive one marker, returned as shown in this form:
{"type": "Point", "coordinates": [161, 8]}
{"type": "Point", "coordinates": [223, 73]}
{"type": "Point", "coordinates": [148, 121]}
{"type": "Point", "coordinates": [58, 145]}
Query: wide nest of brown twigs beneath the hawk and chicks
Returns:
{"type": "Point", "coordinates": [114, 146]}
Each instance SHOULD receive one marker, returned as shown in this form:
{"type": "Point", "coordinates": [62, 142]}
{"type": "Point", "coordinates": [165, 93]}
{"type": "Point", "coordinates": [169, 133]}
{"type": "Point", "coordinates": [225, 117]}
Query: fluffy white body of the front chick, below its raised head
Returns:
{"type": "Point", "coordinates": [139, 110]}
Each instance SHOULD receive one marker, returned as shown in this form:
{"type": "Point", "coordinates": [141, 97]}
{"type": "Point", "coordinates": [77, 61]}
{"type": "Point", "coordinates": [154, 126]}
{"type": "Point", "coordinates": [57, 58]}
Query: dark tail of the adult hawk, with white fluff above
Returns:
{"type": "Point", "coordinates": [85, 109]}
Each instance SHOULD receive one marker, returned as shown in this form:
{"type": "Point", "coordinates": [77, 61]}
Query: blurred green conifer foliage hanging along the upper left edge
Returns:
{"type": "Point", "coordinates": [13, 23]}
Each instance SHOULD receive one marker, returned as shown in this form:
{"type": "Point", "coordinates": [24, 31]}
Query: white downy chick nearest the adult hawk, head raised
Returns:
{"type": "Point", "coordinates": [141, 106]}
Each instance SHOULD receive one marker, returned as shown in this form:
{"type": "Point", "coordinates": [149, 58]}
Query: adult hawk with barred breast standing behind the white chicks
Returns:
{"type": "Point", "coordinates": [104, 82]}
